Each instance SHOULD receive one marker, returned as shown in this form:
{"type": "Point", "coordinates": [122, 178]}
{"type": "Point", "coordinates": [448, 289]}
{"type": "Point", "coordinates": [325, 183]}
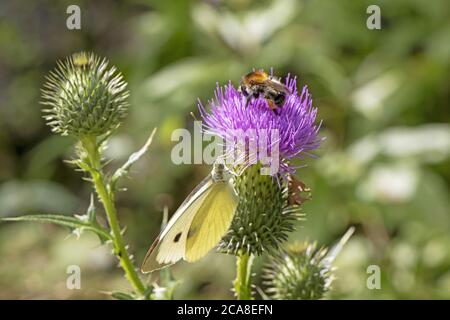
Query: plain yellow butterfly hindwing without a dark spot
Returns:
{"type": "Point", "coordinates": [212, 221]}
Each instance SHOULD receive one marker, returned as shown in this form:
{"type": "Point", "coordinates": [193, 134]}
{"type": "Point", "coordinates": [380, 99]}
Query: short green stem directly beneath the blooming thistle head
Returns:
{"type": "Point", "coordinates": [243, 282]}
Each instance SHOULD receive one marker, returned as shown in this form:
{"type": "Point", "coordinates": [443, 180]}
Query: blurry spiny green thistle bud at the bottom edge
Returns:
{"type": "Point", "coordinates": [299, 274]}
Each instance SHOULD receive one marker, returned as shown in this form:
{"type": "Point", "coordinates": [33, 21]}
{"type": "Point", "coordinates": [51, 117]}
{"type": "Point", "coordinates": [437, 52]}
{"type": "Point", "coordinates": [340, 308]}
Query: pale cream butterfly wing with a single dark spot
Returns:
{"type": "Point", "coordinates": [170, 245]}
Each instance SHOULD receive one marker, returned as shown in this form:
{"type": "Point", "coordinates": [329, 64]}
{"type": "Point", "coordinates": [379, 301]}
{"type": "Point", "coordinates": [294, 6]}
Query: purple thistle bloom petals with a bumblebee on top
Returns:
{"type": "Point", "coordinates": [294, 121]}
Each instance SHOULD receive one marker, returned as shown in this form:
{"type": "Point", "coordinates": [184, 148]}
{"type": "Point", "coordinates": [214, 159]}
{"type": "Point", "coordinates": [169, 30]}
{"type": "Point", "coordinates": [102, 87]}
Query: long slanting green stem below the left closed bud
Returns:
{"type": "Point", "coordinates": [107, 199]}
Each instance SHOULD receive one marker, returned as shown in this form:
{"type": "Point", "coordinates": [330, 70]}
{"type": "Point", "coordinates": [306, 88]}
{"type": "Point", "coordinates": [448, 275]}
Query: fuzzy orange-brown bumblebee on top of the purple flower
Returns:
{"type": "Point", "coordinates": [260, 84]}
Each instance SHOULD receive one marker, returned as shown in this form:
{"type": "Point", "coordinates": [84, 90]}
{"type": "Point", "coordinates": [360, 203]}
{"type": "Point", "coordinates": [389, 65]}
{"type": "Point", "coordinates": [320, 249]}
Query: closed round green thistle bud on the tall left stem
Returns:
{"type": "Point", "coordinates": [84, 96]}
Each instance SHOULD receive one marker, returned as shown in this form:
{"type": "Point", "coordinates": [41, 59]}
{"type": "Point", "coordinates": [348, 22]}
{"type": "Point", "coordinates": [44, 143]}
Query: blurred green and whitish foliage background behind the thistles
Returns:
{"type": "Point", "coordinates": [383, 96]}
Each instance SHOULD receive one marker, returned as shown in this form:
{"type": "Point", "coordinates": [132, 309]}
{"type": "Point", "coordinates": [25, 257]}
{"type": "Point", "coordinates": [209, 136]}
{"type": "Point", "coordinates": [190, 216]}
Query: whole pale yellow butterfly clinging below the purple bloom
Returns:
{"type": "Point", "coordinates": [198, 224]}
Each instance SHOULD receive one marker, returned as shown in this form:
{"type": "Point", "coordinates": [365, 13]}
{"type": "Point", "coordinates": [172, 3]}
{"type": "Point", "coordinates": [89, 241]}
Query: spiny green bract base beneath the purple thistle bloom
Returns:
{"type": "Point", "coordinates": [263, 218]}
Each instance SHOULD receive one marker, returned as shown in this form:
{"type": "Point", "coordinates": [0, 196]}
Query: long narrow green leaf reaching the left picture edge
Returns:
{"type": "Point", "coordinates": [66, 221]}
